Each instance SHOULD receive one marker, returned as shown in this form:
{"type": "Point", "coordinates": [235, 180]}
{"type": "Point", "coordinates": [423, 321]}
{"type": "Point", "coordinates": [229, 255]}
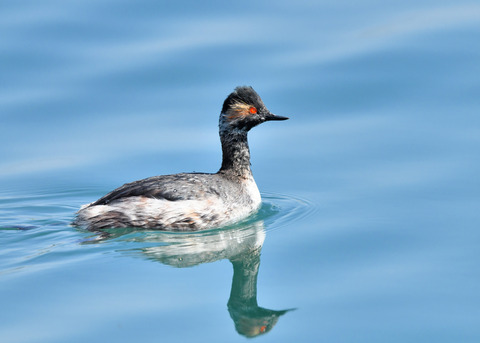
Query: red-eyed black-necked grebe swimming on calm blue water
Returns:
{"type": "Point", "coordinates": [192, 201]}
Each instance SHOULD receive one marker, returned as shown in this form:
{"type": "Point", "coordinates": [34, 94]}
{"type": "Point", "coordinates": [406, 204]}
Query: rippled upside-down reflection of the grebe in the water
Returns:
{"type": "Point", "coordinates": [240, 245]}
